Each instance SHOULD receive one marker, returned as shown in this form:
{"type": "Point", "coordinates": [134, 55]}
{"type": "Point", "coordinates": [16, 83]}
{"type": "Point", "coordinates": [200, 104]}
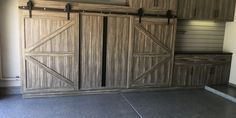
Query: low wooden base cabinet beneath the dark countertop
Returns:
{"type": "Point", "coordinates": [201, 69]}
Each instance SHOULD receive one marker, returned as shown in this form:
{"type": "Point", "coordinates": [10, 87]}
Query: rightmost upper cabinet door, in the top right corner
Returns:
{"type": "Point", "coordinates": [226, 9]}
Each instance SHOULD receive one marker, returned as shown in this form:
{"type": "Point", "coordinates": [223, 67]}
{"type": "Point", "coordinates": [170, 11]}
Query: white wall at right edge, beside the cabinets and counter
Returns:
{"type": "Point", "coordinates": [230, 46]}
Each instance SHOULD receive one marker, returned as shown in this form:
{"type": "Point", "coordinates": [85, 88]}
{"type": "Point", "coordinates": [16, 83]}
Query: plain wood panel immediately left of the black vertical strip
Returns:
{"type": "Point", "coordinates": [91, 51]}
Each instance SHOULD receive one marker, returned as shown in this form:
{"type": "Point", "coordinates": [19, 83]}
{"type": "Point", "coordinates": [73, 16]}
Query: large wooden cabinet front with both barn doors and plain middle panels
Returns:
{"type": "Point", "coordinates": [94, 52]}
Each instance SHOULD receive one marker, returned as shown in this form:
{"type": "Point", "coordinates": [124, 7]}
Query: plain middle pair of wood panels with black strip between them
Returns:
{"type": "Point", "coordinates": [104, 51]}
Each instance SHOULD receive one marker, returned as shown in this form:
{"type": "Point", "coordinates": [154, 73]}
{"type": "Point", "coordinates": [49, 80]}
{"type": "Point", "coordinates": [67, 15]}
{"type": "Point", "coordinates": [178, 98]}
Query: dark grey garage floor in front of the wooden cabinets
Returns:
{"type": "Point", "coordinates": [161, 104]}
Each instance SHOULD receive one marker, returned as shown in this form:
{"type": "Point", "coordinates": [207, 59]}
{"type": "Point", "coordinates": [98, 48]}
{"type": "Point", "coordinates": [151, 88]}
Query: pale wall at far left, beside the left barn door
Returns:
{"type": "Point", "coordinates": [9, 36]}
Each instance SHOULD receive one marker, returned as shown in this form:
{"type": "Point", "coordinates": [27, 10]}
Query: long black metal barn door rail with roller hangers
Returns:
{"type": "Point", "coordinates": [68, 9]}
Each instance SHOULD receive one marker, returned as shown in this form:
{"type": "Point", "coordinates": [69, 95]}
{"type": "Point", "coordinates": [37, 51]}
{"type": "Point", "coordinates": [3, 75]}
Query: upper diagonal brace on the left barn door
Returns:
{"type": "Point", "coordinates": [50, 36]}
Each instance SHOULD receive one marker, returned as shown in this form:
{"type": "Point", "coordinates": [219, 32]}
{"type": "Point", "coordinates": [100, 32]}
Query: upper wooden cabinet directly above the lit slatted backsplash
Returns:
{"type": "Point", "coordinates": [222, 10]}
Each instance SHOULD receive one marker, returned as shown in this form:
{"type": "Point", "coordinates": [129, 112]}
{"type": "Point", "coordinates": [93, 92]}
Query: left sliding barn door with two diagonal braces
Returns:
{"type": "Point", "coordinates": [50, 56]}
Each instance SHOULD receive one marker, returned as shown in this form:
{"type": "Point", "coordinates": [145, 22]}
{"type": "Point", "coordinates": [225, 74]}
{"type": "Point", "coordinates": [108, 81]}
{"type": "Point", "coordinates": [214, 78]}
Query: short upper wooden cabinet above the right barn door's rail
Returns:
{"type": "Point", "coordinates": [154, 4]}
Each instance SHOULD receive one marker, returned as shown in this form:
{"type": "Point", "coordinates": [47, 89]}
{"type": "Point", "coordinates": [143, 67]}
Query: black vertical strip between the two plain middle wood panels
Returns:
{"type": "Point", "coordinates": [104, 51]}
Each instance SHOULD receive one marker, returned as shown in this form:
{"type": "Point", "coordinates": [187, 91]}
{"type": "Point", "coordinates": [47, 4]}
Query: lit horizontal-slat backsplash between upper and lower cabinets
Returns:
{"type": "Point", "coordinates": [199, 36]}
